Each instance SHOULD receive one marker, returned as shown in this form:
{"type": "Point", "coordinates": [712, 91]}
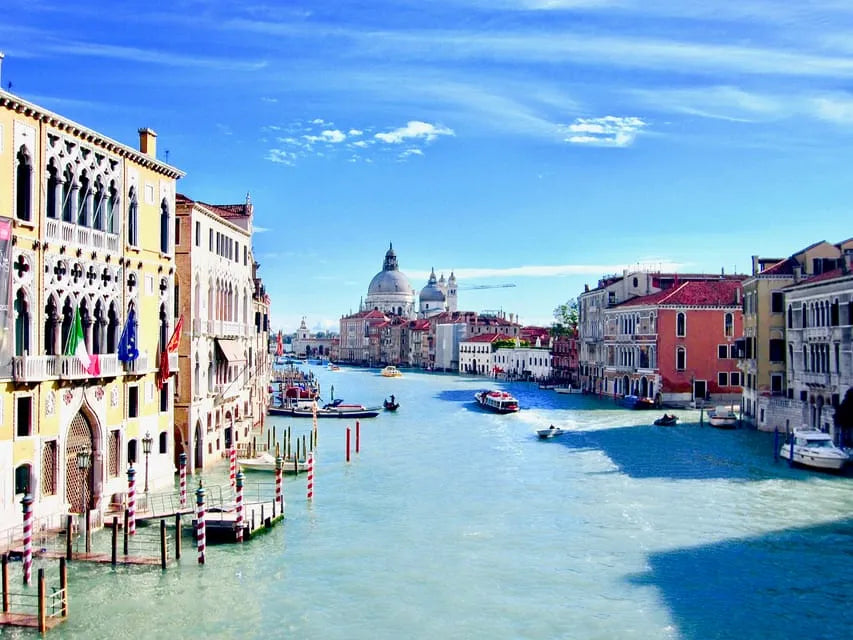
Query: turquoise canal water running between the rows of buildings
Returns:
{"type": "Point", "coordinates": [456, 523]}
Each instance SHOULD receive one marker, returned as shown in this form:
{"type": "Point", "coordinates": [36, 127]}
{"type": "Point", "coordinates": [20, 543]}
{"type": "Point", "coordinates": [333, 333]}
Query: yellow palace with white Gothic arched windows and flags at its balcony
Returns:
{"type": "Point", "coordinates": [92, 235]}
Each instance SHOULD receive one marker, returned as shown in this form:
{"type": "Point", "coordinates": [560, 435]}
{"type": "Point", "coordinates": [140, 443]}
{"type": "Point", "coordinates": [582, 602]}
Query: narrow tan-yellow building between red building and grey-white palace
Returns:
{"type": "Point", "coordinates": [766, 398]}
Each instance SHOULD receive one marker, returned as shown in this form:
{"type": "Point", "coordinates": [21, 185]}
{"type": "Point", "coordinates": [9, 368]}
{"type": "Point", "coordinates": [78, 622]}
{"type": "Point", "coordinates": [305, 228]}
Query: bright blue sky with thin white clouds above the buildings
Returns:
{"type": "Point", "coordinates": [534, 142]}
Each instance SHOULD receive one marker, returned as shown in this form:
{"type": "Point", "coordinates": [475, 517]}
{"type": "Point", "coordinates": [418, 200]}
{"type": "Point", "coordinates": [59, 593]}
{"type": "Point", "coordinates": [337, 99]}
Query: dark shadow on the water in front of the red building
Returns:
{"type": "Point", "coordinates": [688, 452]}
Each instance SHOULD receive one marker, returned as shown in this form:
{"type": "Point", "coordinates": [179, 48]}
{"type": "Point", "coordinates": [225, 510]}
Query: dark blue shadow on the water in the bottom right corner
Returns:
{"type": "Point", "coordinates": [798, 580]}
